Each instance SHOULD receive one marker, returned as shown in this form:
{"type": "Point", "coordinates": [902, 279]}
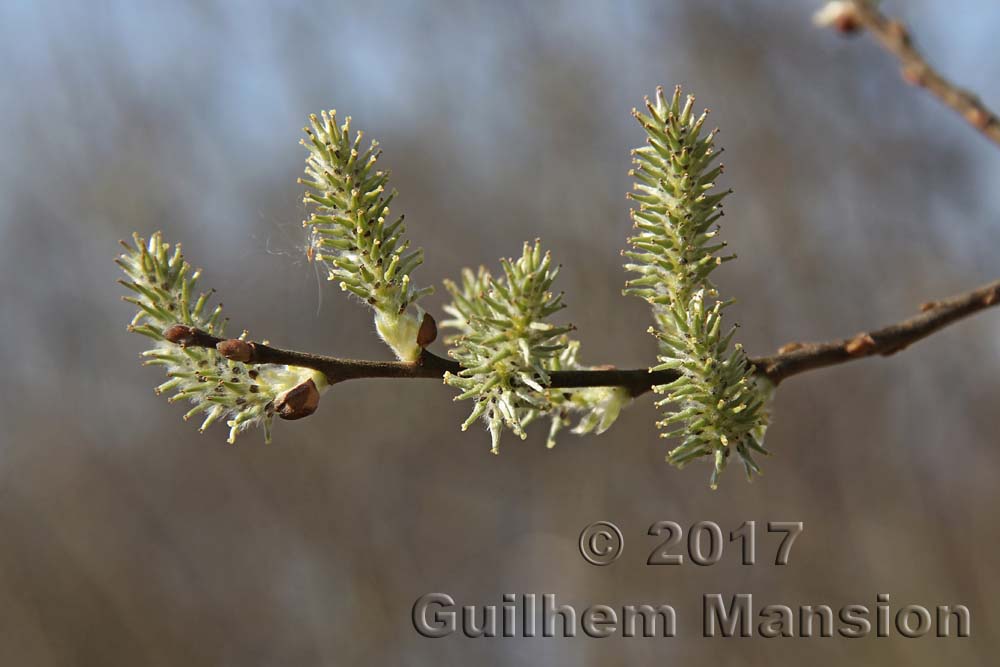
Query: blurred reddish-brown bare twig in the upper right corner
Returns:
{"type": "Point", "coordinates": [896, 39]}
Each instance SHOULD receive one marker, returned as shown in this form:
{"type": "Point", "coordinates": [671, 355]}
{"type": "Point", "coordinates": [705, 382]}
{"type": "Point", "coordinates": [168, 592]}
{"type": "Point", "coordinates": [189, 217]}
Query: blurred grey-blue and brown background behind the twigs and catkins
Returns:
{"type": "Point", "coordinates": [127, 538]}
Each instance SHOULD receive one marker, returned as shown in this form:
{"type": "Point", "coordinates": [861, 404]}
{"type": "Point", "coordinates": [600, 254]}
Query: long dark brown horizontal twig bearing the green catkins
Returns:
{"type": "Point", "coordinates": [791, 359]}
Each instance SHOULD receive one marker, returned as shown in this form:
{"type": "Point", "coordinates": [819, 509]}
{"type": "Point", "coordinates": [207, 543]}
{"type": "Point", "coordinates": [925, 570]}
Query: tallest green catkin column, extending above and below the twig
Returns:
{"type": "Point", "coordinates": [717, 406]}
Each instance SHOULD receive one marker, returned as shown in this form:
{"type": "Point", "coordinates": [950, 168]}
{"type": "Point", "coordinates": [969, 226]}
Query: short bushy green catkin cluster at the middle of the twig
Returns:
{"type": "Point", "coordinates": [507, 349]}
